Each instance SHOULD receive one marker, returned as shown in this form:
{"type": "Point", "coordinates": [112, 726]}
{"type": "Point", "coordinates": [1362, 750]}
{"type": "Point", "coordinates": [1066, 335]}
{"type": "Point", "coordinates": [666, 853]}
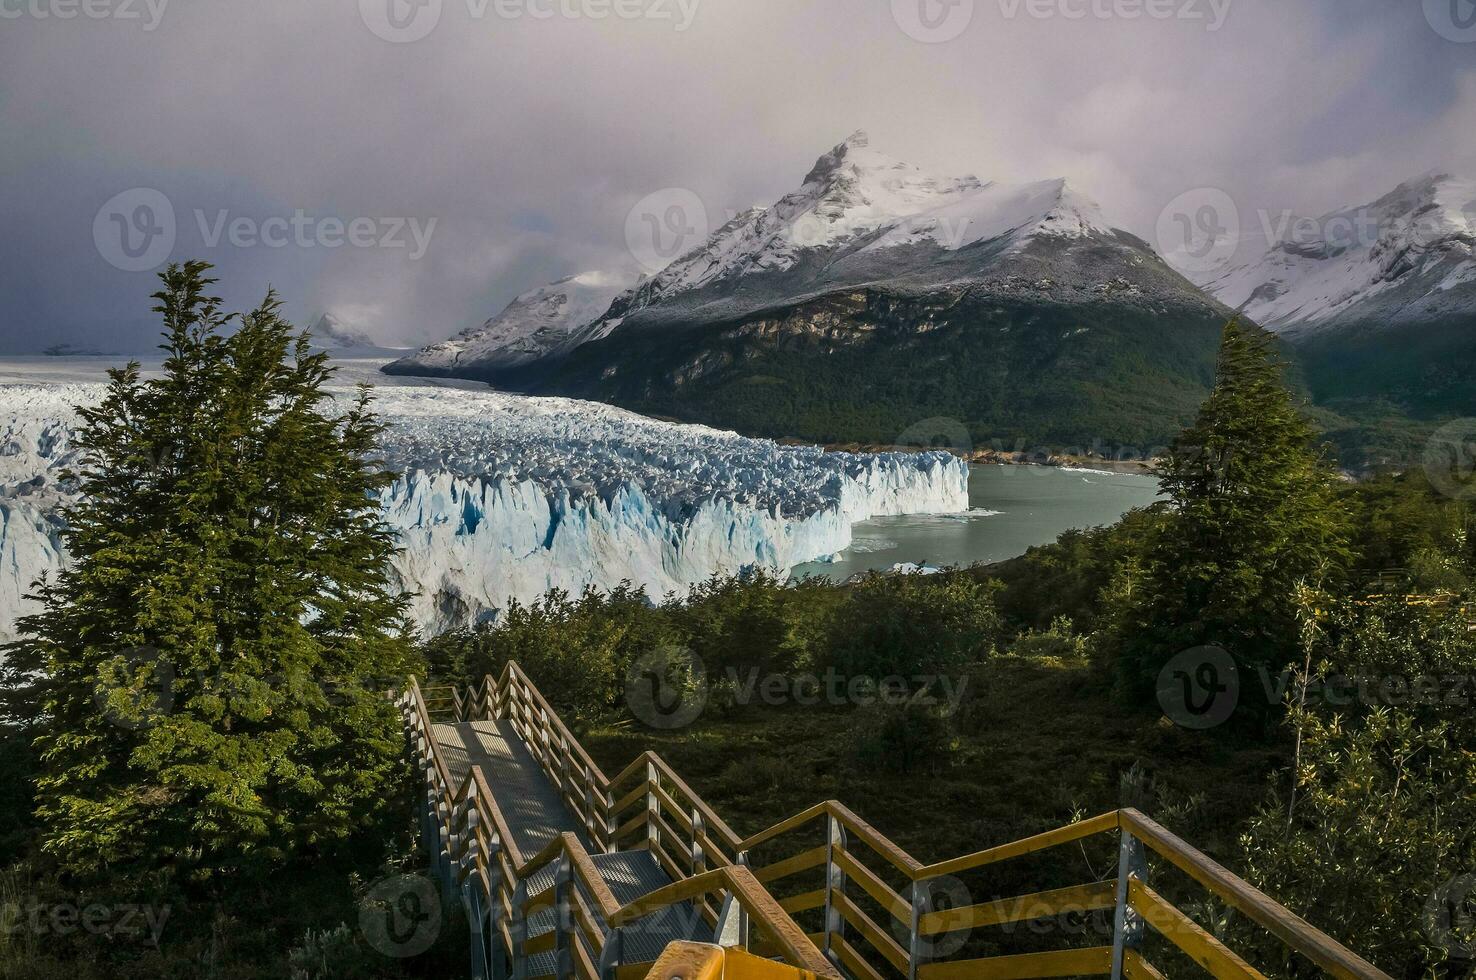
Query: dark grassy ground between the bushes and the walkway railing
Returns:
{"type": "Point", "coordinates": [1040, 742]}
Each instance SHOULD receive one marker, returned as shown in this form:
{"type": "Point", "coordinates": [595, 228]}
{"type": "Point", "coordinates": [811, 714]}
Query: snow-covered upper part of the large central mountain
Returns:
{"type": "Point", "coordinates": [861, 218]}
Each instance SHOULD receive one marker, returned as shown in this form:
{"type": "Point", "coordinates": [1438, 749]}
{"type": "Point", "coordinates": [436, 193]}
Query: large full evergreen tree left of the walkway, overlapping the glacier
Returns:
{"type": "Point", "coordinates": [201, 675]}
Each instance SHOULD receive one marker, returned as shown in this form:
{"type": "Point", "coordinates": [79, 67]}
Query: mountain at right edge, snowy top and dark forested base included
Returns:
{"type": "Point", "coordinates": [1381, 312]}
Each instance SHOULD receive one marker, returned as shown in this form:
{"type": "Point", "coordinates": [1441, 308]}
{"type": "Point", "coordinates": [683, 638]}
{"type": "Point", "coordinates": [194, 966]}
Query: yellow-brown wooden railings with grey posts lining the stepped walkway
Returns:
{"type": "Point", "coordinates": [882, 913]}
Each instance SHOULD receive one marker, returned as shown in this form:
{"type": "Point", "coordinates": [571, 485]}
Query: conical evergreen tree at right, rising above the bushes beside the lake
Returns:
{"type": "Point", "coordinates": [1254, 514]}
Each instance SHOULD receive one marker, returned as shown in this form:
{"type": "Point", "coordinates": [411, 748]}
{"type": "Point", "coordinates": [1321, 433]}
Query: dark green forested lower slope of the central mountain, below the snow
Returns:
{"type": "Point", "coordinates": [1013, 374]}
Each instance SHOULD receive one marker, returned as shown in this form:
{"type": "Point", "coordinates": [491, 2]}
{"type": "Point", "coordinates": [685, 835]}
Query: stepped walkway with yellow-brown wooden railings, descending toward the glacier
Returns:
{"type": "Point", "coordinates": [569, 874]}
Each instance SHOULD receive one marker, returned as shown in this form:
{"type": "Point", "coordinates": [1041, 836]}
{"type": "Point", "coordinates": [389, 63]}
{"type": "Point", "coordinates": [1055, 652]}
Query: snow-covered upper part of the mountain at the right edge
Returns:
{"type": "Point", "coordinates": [1407, 258]}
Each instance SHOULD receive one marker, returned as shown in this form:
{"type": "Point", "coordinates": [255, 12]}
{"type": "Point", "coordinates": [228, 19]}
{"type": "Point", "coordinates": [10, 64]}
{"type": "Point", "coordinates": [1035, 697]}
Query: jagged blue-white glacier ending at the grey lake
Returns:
{"type": "Point", "coordinates": [501, 498]}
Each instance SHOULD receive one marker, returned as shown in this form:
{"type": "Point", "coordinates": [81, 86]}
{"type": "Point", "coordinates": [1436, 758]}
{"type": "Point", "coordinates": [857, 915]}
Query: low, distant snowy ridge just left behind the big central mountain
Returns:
{"type": "Point", "coordinates": [532, 327]}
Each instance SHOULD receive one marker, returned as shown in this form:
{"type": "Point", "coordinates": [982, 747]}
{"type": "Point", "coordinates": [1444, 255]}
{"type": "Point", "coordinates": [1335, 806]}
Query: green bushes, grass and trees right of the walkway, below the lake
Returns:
{"type": "Point", "coordinates": [1356, 814]}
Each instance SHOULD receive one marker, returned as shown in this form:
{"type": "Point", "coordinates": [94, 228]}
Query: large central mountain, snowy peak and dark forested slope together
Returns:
{"type": "Point", "coordinates": [877, 296]}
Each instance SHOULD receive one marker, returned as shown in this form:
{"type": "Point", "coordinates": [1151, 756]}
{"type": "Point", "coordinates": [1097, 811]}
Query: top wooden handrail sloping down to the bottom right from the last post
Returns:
{"type": "Point", "coordinates": [1300, 935]}
